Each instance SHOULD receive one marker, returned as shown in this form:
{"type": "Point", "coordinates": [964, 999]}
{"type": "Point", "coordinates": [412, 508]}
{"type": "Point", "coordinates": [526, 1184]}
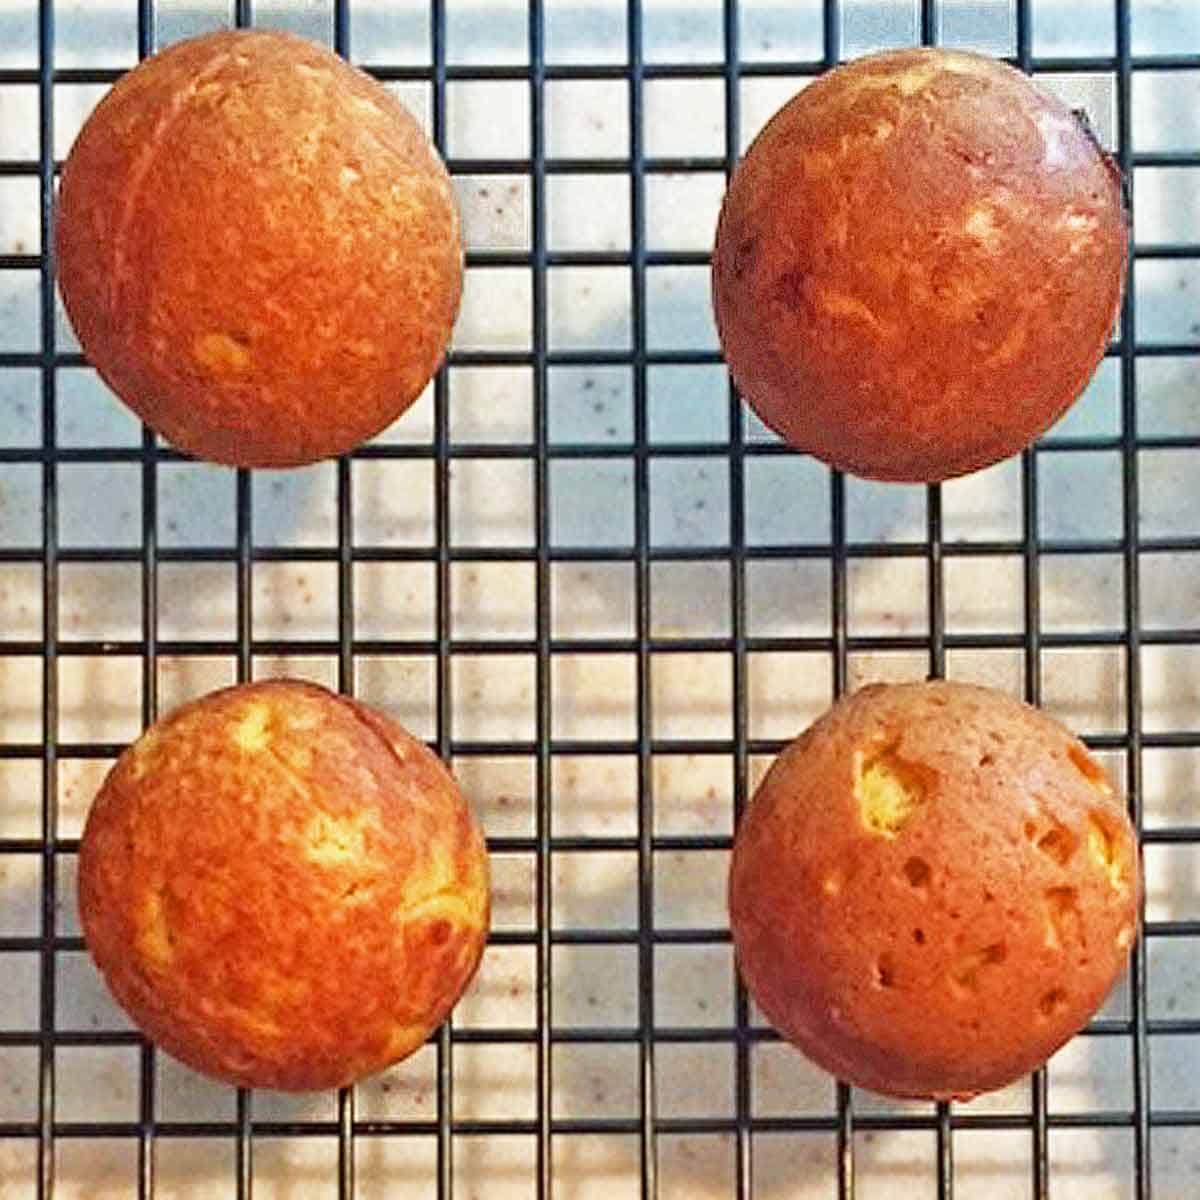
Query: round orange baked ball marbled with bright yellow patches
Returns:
{"type": "Point", "coordinates": [283, 887]}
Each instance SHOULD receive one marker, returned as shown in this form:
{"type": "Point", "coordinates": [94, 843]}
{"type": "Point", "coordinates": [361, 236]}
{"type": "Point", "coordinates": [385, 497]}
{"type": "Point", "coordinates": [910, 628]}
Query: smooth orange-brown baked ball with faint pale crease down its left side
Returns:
{"type": "Point", "coordinates": [259, 249]}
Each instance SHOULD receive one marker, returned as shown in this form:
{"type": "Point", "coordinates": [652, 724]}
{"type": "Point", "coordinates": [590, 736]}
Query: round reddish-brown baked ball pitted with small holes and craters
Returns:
{"type": "Point", "coordinates": [958, 950]}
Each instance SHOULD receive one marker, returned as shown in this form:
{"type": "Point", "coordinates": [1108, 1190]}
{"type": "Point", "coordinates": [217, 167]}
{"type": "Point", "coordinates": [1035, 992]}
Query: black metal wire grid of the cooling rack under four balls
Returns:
{"type": "Point", "coordinates": [839, 553]}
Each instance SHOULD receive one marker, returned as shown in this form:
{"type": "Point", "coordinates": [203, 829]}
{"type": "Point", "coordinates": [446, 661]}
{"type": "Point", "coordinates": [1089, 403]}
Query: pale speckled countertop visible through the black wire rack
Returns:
{"type": "Point", "coordinates": [592, 502]}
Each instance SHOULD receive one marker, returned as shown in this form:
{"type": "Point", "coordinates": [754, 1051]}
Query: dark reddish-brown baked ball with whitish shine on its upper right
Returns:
{"type": "Point", "coordinates": [919, 265]}
